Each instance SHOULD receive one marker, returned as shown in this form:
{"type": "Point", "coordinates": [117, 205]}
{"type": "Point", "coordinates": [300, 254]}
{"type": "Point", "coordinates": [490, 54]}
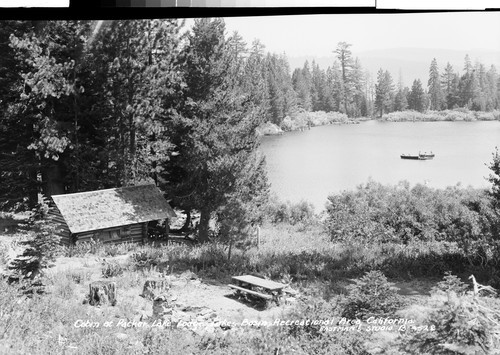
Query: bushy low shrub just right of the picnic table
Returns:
{"type": "Point", "coordinates": [371, 295]}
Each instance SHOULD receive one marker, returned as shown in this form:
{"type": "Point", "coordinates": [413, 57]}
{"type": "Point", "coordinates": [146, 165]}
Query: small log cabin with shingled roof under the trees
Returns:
{"type": "Point", "coordinates": [110, 216]}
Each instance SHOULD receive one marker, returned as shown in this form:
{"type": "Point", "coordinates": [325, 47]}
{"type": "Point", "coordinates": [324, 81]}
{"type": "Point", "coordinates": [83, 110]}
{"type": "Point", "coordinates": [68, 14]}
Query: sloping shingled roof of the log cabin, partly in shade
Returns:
{"type": "Point", "coordinates": [94, 210]}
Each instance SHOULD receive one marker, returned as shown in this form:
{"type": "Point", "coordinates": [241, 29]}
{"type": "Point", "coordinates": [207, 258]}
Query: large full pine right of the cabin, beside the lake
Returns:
{"type": "Point", "coordinates": [214, 130]}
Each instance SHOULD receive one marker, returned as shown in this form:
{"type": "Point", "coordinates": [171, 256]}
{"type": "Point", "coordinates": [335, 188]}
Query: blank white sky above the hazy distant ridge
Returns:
{"type": "Point", "coordinates": [318, 35]}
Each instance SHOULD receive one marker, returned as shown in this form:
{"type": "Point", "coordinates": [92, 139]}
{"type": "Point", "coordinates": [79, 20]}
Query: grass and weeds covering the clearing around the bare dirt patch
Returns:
{"type": "Point", "coordinates": [300, 254]}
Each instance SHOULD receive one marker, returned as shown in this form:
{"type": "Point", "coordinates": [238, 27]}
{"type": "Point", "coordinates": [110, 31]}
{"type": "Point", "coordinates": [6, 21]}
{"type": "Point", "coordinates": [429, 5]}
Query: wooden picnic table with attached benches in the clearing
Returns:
{"type": "Point", "coordinates": [269, 290]}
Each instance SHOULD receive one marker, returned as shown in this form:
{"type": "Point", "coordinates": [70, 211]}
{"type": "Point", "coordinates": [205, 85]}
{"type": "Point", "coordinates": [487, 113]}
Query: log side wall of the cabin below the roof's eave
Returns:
{"type": "Point", "coordinates": [131, 233]}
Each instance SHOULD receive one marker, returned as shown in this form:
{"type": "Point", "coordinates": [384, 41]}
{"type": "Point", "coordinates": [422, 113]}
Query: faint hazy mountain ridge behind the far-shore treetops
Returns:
{"type": "Point", "coordinates": [413, 63]}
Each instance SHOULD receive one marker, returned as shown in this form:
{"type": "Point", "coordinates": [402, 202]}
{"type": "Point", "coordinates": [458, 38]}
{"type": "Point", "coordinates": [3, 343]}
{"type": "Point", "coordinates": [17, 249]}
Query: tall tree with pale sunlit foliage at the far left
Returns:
{"type": "Point", "coordinates": [42, 104]}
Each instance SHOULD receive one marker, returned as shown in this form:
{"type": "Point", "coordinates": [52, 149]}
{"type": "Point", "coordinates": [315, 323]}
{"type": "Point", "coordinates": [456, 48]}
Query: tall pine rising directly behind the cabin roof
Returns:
{"type": "Point", "coordinates": [136, 74]}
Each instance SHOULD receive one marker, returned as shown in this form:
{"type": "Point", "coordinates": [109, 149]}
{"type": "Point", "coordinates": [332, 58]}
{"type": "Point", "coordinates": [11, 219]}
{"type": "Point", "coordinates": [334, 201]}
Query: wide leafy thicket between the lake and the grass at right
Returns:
{"type": "Point", "coordinates": [378, 213]}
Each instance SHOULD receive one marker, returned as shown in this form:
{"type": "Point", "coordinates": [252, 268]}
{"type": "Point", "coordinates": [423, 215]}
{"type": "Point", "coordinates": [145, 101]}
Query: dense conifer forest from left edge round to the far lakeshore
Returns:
{"type": "Point", "coordinates": [96, 104]}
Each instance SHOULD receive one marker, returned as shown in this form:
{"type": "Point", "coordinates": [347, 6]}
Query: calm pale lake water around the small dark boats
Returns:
{"type": "Point", "coordinates": [312, 164]}
